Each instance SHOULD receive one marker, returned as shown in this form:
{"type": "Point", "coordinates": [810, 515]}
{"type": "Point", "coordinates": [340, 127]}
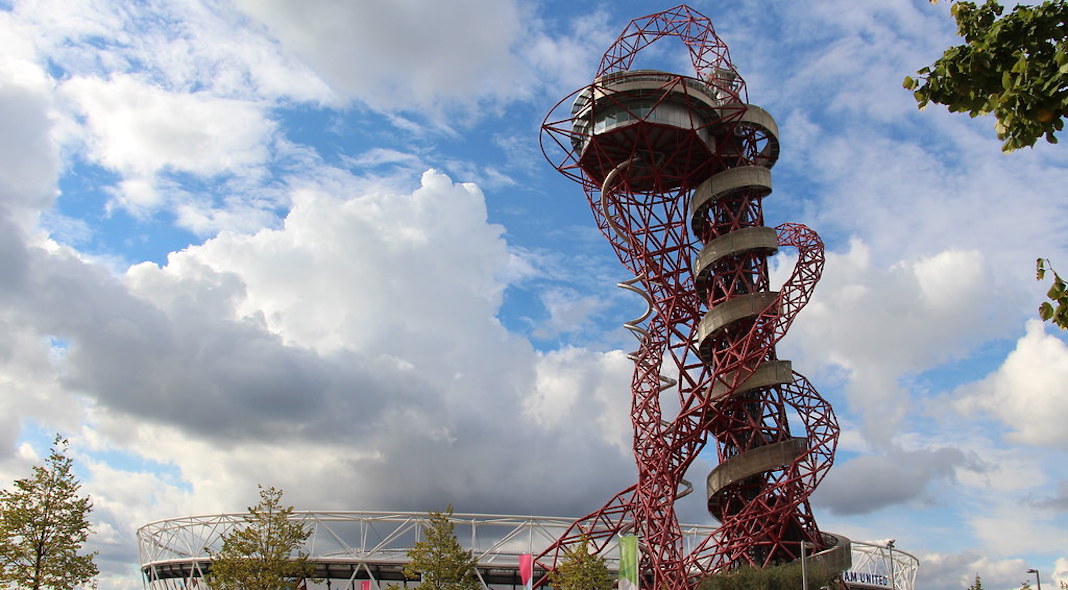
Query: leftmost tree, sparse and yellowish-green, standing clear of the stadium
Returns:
{"type": "Point", "coordinates": [44, 524]}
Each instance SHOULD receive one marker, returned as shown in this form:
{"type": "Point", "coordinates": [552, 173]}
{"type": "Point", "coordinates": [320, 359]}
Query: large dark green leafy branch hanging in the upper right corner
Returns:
{"type": "Point", "coordinates": [1014, 66]}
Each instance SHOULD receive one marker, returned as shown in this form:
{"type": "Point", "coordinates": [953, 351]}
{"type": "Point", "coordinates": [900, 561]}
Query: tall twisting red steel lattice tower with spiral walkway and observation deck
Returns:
{"type": "Point", "coordinates": [676, 169]}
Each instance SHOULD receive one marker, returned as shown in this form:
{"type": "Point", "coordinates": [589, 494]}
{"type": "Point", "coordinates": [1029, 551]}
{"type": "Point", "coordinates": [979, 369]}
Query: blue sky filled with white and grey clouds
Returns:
{"type": "Point", "coordinates": [316, 245]}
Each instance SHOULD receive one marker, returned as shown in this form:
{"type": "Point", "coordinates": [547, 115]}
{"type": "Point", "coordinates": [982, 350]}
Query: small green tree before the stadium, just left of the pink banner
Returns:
{"type": "Point", "coordinates": [439, 561]}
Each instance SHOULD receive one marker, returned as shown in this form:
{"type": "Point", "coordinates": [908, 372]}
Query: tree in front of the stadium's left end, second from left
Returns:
{"type": "Point", "coordinates": [260, 555]}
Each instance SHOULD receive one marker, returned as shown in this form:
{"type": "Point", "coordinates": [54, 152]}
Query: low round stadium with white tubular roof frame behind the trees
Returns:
{"type": "Point", "coordinates": [368, 551]}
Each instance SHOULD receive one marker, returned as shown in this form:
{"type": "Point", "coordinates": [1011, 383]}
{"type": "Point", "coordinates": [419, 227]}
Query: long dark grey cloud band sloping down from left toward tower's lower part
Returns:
{"type": "Point", "coordinates": [233, 383]}
